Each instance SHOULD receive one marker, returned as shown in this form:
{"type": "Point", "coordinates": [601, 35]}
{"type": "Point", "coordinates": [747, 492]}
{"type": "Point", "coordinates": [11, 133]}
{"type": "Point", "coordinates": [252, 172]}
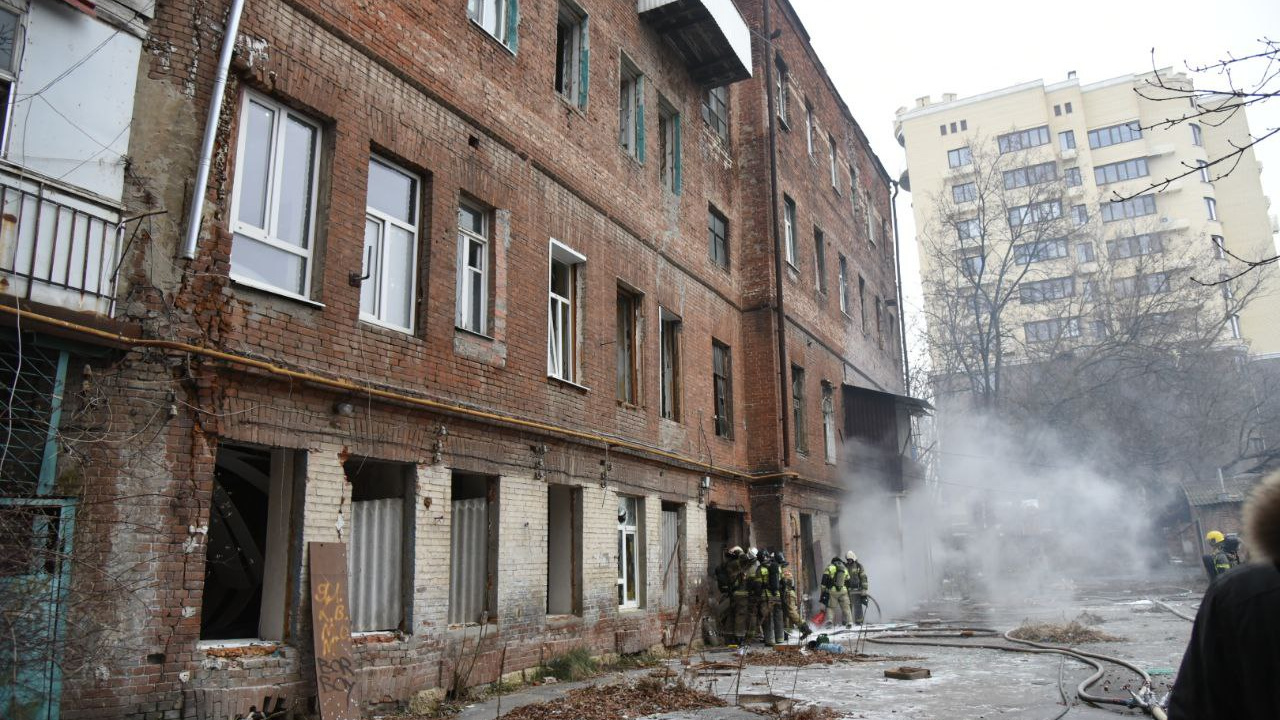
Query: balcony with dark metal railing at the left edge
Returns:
{"type": "Point", "coordinates": [58, 245]}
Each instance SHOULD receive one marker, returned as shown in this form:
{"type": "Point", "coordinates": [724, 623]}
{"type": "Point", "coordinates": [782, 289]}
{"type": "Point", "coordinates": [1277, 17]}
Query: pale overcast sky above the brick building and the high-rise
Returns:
{"type": "Point", "coordinates": [884, 56]}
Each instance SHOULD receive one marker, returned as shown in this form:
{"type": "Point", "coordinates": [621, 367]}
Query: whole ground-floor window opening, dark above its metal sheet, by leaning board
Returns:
{"type": "Point", "coordinates": [380, 558]}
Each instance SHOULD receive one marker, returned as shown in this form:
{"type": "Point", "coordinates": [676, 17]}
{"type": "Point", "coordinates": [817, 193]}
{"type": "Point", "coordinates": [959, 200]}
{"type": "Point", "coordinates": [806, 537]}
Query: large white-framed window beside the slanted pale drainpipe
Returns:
{"type": "Point", "coordinates": [276, 198]}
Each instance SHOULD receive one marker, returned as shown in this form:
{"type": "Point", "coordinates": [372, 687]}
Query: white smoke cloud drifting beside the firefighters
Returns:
{"type": "Point", "coordinates": [1009, 517]}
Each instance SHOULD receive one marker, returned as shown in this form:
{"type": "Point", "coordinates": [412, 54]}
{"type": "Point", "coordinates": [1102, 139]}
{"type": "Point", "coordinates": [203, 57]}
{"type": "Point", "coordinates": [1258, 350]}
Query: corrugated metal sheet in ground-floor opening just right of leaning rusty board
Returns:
{"type": "Point", "coordinates": [374, 564]}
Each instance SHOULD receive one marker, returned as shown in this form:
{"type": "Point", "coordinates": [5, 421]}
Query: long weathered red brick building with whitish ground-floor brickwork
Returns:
{"type": "Point", "coordinates": [468, 279]}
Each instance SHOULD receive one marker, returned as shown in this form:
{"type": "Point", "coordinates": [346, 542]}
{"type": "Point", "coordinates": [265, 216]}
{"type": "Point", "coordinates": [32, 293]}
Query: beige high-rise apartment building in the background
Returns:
{"type": "Point", "coordinates": [1044, 192]}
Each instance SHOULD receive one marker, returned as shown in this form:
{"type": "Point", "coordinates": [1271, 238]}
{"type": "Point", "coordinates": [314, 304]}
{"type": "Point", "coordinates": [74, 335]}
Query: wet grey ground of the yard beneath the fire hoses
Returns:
{"type": "Point", "coordinates": [967, 682]}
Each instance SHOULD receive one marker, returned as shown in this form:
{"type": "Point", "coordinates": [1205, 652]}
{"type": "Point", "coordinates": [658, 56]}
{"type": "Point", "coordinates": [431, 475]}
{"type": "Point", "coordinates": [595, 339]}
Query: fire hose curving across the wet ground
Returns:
{"type": "Point", "coordinates": [1142, 699]}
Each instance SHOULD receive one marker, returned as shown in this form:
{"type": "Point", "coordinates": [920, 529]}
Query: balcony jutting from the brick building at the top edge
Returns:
{"type": "Point", "coordinates": [710, 37]}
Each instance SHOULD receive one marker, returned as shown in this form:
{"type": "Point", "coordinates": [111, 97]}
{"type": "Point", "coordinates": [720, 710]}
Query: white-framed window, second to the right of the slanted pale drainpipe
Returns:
{"type": "Point", "coordinates": [387, 289]}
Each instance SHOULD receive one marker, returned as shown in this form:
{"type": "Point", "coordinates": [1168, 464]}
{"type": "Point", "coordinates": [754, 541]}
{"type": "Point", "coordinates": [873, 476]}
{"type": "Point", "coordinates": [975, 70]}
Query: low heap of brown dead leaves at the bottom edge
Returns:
{"type": "Point", "coordinates": [619, 701]}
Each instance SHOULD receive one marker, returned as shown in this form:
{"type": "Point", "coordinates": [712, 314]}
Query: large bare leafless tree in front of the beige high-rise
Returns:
{"type": "Point", "coordinates": [1086, 327]}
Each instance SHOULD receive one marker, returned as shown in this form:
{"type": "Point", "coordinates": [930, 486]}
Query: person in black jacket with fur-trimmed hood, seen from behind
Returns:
{"type": "Point", "coordinates": [1232, 666]}
